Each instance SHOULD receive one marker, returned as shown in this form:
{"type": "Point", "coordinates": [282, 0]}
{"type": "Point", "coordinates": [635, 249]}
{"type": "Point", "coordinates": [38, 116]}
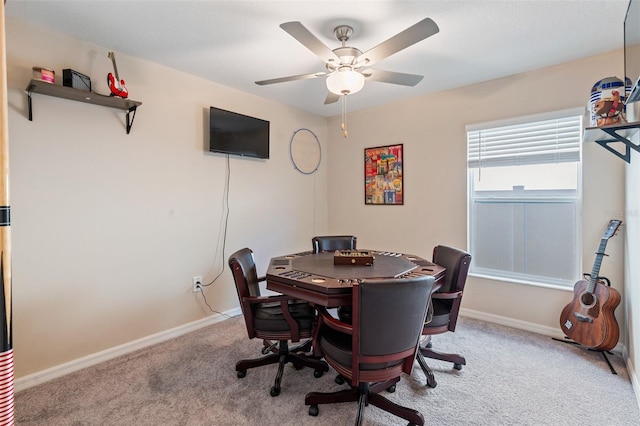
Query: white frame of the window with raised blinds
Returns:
{"type": "Point", "coordinates": [562, 153]}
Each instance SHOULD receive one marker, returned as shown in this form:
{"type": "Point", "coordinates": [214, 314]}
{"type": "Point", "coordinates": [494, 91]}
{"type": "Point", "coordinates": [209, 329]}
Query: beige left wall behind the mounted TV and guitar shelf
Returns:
{"type": "Point", "coordinates": [109, 228]}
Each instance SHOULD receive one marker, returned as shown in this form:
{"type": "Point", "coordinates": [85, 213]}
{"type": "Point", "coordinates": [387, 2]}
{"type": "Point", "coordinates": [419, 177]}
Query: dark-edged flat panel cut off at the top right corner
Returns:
{"type": "Point", "coordinates": [632, 49]}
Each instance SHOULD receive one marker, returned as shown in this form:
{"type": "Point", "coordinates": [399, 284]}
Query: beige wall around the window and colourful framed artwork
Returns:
{"type": "Point", "coordinates": [432, 129]}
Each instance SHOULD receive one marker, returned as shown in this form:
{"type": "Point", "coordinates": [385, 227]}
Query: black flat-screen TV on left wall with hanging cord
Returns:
{"type": "Point", "coordinates": [238, 134]}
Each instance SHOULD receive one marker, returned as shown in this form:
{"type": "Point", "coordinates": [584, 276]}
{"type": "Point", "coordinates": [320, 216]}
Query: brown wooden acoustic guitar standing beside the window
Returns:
{"type": "Point", "coordinates": [589, 318]}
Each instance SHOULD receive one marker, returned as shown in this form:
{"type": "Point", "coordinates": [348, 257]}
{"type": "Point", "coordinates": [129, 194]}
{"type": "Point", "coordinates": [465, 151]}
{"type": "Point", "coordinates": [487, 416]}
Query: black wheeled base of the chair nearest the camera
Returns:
{"type": "Point", "coordinates": [365, 394]}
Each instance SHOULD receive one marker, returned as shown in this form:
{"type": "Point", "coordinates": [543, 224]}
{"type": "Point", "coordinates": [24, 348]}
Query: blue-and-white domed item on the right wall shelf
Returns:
{"type": "Point", "coordinates": [607, 102]}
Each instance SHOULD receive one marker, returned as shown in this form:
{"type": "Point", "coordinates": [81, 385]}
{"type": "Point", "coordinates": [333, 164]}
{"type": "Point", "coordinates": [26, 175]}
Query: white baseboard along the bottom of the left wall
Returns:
{"type": "Point", "coordinates": [43, 376]}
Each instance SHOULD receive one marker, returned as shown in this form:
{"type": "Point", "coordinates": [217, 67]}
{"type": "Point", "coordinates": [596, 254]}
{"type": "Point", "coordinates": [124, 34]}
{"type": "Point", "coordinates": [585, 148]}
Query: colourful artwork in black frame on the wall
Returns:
{"type": "Point", "coordinates": [383, 182]}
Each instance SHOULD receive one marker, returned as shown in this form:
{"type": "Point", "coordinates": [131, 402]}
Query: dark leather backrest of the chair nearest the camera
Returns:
{"type": "Point", "coordinates": [388, 316]}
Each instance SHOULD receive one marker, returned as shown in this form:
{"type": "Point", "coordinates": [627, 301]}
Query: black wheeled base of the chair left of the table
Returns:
{"type": "Point", "coordinates": [282, 357]}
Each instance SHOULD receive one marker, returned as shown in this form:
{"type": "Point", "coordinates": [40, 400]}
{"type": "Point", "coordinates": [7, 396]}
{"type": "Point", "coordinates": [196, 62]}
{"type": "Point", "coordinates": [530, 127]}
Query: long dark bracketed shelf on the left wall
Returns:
{"type": "Point", "coordinates": [44, 88]}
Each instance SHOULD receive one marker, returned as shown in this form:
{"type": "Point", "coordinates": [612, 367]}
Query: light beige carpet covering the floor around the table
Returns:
{"type": "Point", "coordinates": [512, 377]}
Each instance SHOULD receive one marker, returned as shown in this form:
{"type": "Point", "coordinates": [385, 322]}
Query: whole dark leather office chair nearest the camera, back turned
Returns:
{"type": "Point", "coordinates": [378, 347]}
